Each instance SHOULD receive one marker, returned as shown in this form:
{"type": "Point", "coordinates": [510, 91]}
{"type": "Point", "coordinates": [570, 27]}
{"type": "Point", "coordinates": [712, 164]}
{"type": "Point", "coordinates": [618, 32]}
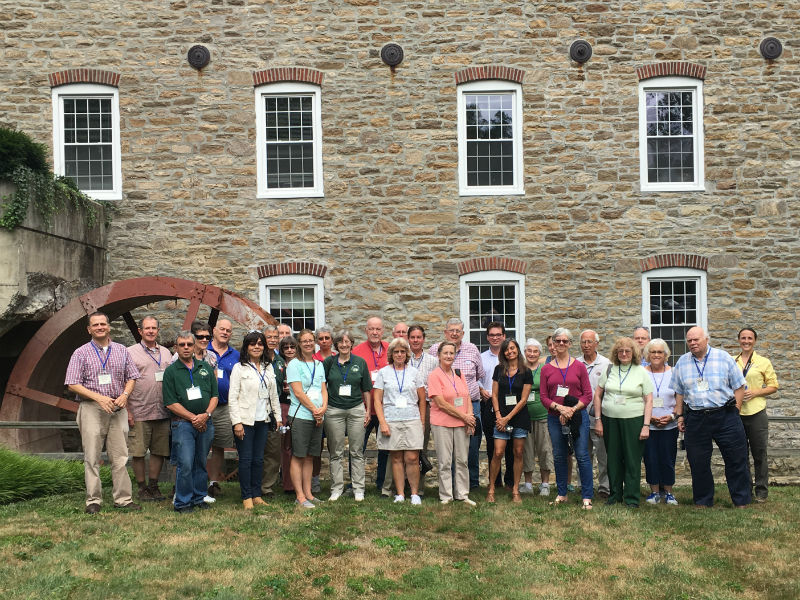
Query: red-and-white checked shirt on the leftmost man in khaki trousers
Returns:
{"type": "Point", "coordinates": [86, 365]}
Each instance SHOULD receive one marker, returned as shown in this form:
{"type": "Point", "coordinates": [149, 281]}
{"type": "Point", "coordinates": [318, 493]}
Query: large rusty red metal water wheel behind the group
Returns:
{"type": "Point", "coordinates": [35, 390]}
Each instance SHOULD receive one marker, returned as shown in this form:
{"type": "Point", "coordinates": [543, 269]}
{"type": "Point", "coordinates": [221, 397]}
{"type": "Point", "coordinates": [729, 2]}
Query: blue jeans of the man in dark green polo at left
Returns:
{"type": "Point", "coordinates": [190, 449]}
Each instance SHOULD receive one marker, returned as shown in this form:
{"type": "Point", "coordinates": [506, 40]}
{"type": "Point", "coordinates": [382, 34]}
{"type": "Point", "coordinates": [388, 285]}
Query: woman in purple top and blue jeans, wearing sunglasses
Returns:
{"type": "Point", "coordinates": [566, 392]}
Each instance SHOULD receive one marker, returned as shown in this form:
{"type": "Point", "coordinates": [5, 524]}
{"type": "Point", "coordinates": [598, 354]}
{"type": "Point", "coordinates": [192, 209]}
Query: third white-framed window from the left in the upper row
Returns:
{"type": "Point", "coordinates": [490, 138]}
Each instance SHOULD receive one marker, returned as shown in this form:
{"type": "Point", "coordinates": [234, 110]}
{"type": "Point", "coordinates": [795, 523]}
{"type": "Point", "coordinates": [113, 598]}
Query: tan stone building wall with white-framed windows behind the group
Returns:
{"type": "Point", "coordinates": [574, 238]}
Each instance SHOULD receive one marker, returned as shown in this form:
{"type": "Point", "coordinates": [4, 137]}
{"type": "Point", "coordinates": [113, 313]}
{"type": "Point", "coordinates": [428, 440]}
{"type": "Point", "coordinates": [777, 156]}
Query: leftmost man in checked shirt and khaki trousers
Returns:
{"type": "Point", "coordinates": [102, 374]}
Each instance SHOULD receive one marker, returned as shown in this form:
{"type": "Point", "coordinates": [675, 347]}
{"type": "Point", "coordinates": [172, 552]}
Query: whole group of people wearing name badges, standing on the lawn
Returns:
{"type": "Point", "coordinates": [280, 394]}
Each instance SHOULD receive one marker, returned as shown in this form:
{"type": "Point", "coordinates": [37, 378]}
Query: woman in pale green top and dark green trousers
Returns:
{"type": "Point", "coordinates": [623, 405]}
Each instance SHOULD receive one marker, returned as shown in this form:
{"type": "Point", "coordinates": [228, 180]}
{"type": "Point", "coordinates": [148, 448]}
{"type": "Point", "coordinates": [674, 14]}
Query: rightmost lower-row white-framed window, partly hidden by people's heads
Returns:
{"type": "Point", "coordinates": [673, 301]}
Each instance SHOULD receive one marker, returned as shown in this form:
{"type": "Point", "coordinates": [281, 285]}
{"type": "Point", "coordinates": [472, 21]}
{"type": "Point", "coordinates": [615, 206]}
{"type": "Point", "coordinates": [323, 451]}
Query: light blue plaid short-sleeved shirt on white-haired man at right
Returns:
{"type": "Point", "coordinates": [718, 370]}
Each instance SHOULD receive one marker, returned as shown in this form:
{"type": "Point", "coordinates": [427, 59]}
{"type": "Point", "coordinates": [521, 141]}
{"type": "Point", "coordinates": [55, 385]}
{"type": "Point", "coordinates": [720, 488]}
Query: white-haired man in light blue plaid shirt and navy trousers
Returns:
{"type": "Point", "coordinates": [709, 390]}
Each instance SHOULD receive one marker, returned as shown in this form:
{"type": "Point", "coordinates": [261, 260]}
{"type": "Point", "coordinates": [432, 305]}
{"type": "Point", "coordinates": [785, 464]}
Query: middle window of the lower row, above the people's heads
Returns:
{"type": "Point", "coordinates": [488, 296]}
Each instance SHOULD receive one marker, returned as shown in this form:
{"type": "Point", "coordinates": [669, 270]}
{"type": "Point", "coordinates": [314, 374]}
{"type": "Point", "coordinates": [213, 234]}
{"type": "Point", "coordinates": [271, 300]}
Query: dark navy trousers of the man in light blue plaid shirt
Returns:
{"type": "Point", "coordinates": [725, 427]}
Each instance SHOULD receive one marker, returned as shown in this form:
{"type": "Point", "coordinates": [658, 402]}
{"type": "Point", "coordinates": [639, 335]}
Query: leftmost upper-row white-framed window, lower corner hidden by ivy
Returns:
{"type": "Point", "coordinates": [86, 144]}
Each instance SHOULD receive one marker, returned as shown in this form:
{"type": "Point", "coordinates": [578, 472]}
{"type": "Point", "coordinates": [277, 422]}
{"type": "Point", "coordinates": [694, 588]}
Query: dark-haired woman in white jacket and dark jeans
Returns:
{"type": "Point", "coordinates": [254, 410]}
